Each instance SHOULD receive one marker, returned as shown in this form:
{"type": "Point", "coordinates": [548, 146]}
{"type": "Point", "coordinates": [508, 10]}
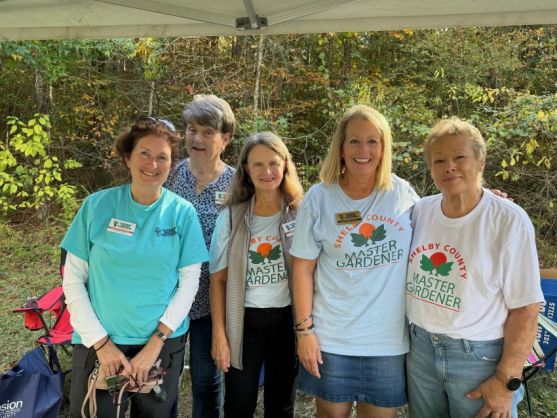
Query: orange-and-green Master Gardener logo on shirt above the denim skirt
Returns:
{"type": "Point", "coordinates": [372, 243]}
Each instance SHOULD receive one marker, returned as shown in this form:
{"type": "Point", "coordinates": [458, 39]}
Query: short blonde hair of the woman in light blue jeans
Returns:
{"type": "Point", "coordinates": [454, 126]}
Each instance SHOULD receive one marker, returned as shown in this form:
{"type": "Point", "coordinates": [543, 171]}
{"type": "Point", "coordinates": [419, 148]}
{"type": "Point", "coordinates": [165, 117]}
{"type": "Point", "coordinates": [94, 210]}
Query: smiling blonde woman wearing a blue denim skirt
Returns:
{"type": "Point", "coordinates": [351, 247]}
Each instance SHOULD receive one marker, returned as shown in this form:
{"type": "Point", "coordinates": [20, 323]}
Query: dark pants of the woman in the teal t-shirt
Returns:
{"type": "Point", "coordinates": [143, 405]}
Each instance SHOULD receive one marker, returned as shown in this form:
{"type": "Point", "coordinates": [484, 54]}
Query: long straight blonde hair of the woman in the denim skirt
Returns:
{"type": "Point", "coordinates": [333, 165]}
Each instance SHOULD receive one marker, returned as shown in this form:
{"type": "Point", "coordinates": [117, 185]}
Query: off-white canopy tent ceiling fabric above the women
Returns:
{"type": "Point", "coordinates": [59, 19]}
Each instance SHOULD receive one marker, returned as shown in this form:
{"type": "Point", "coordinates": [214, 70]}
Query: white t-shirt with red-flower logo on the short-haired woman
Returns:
{"type": "Point", "coordinates": [464, 274]}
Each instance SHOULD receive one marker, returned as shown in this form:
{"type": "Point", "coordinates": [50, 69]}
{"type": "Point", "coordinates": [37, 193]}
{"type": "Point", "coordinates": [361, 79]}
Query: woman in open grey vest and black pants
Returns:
{"type": "Point", "coordinates": [250, 280]}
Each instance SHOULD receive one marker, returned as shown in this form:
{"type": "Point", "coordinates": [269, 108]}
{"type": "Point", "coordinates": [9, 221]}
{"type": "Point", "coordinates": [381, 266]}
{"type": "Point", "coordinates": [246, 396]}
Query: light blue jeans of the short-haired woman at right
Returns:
{"type": "Point", "coordinates": [442, 370]}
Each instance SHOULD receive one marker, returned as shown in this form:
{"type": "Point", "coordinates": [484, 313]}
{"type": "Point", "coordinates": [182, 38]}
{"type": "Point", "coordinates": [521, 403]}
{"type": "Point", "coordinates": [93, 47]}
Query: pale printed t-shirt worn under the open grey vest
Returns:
{"type": "Point", "coordinates": [266, 276]}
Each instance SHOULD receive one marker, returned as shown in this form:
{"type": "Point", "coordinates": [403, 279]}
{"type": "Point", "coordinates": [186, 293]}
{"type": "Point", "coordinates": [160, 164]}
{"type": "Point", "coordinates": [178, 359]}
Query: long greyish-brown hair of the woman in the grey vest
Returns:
{"type": "Point", "coordinates": [242, 187]}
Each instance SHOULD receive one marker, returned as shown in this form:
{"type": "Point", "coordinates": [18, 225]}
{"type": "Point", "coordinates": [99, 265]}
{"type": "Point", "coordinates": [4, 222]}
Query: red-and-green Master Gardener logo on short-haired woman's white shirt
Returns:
{"type": "Point", "coordinates": [436, 280]}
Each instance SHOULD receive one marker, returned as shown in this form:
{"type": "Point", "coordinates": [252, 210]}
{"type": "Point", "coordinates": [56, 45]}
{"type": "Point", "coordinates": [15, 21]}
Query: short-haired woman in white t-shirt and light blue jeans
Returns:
{"type": "Point", "coordinates": [473, 287]}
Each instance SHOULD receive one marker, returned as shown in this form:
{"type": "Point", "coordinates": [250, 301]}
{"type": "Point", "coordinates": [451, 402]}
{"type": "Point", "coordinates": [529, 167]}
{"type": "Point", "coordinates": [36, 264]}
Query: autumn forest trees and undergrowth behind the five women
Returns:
{"type": "Point", "coordinates": [62, 103]}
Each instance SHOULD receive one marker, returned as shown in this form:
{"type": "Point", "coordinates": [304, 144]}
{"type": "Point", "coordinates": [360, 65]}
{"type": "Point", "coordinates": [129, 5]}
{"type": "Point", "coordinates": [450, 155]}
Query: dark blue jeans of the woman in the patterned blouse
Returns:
{"type": "Point", "coordinates": [206, 379]}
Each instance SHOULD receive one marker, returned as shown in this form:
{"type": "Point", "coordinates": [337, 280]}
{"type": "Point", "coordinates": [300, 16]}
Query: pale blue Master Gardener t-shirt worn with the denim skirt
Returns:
{"type": "Point", "coordinates": [358, 303]}
